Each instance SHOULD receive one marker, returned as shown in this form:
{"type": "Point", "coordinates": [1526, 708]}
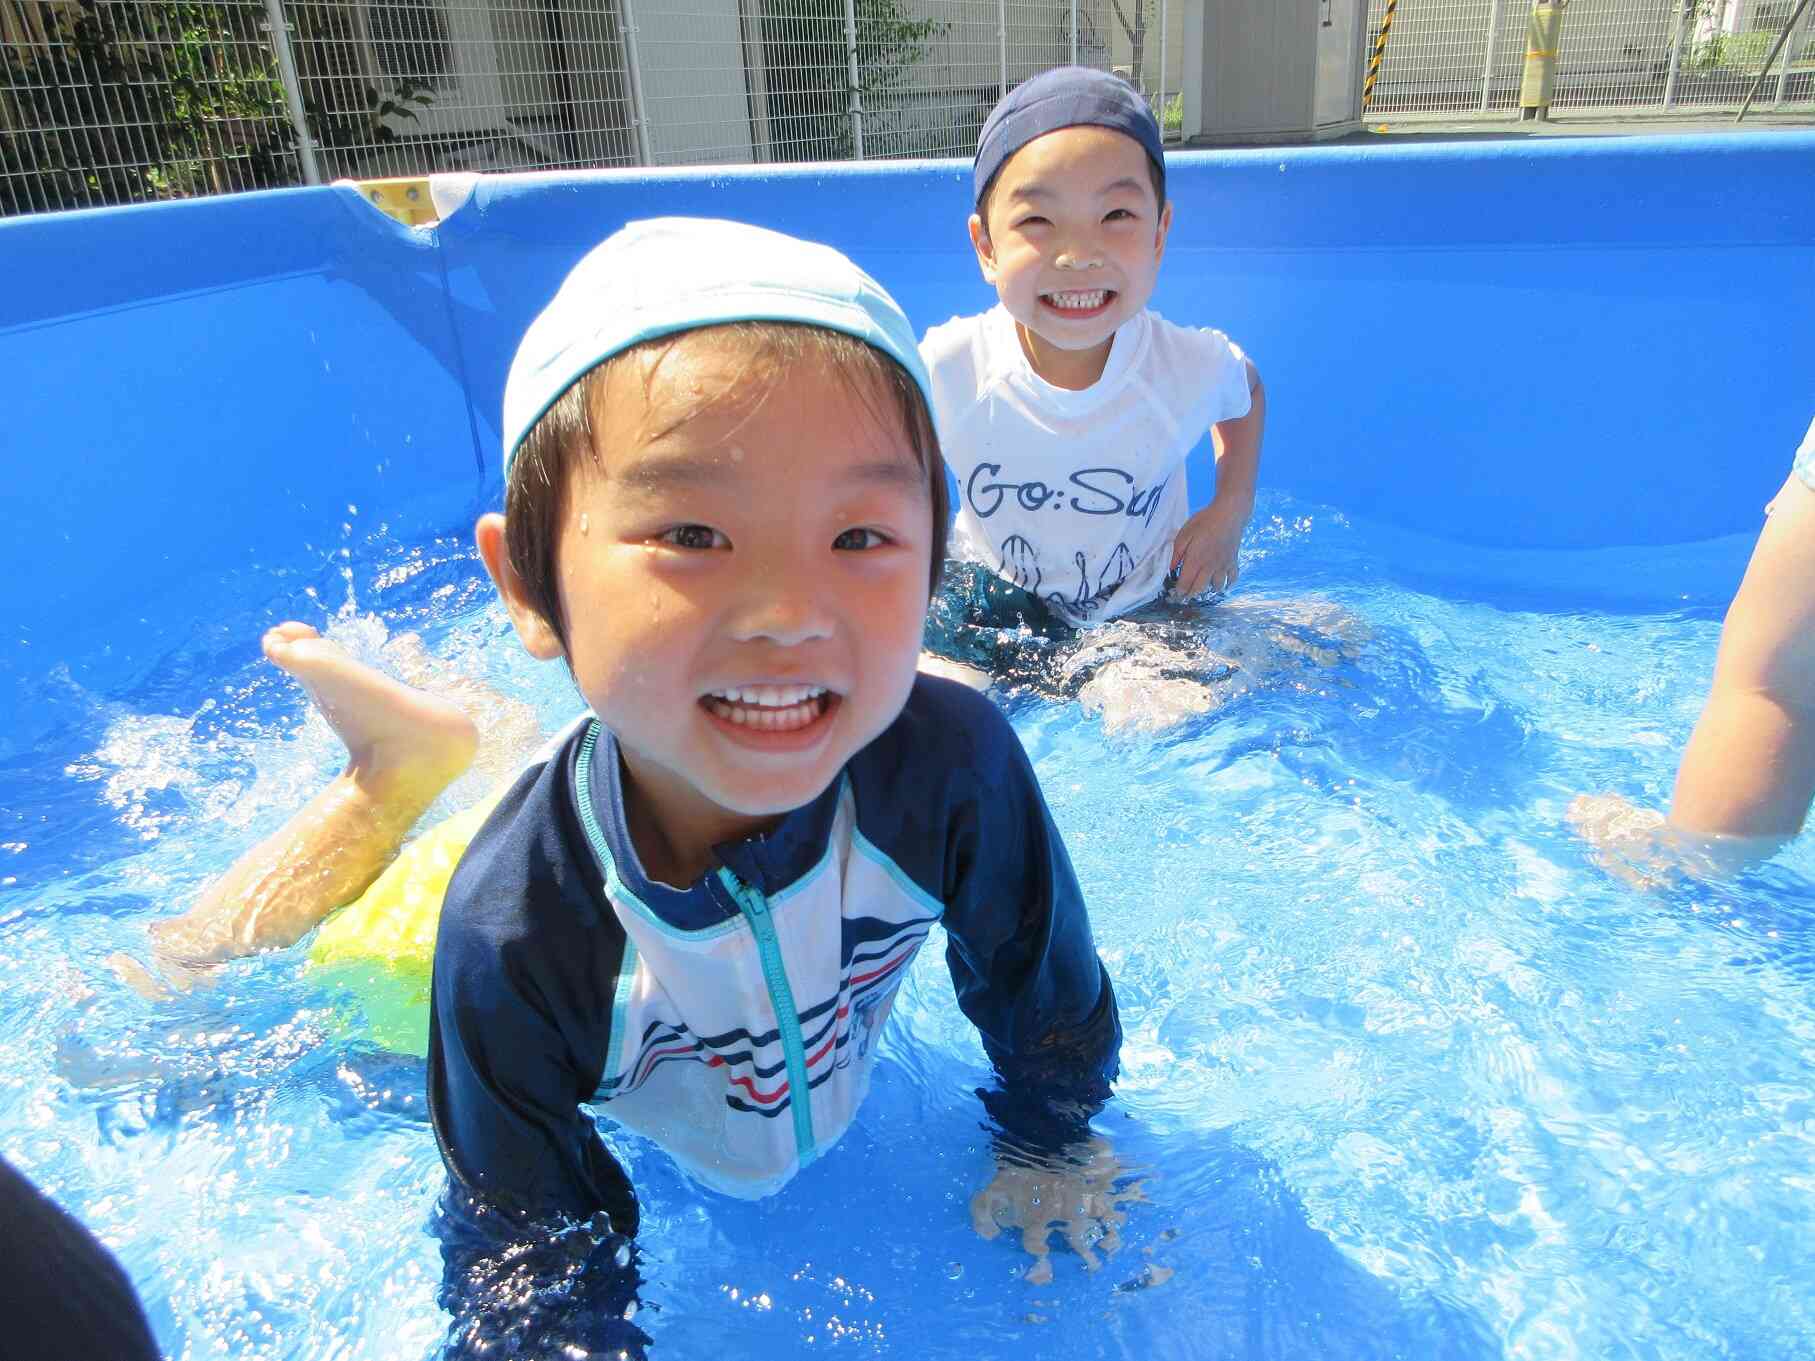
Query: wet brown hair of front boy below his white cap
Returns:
{"type": "Point", "coordinates": [565, 438]}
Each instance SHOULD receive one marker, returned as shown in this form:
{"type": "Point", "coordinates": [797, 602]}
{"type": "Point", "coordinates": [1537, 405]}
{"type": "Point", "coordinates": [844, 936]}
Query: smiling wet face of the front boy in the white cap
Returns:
{"type": "Point", "coordinates": [743, 573]}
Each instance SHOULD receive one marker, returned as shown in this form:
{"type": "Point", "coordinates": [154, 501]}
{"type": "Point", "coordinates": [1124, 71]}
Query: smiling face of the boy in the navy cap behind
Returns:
{"type": "Point", "coordinates": [1074, 246]}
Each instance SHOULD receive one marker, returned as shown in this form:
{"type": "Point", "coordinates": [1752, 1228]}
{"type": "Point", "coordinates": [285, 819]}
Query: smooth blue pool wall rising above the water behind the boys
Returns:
{"type": "Point", "coordinates": [1544, 344]}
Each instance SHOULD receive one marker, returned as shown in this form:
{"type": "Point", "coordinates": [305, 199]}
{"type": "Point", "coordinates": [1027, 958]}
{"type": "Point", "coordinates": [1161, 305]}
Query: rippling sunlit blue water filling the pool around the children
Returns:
{"type": "Point", "coordinates": [1406, 1073]}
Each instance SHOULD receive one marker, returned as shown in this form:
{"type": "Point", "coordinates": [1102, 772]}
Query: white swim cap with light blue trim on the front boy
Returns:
{"type": "Point", "coordinates": [672, 275]}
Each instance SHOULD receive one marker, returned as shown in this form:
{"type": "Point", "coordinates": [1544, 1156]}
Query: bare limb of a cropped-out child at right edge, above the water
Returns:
{"type": "Point", "coordinates": [1751, 765]}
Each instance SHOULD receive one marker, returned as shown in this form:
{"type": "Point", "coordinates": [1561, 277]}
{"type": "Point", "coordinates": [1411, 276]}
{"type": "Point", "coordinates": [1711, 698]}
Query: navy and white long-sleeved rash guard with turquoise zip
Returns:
{"type": "Point", "coordinates": [700, 1017]}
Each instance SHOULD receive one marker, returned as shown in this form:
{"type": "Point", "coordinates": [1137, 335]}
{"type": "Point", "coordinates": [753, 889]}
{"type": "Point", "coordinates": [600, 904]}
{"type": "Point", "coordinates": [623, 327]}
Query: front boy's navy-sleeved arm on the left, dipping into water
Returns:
{"type": "Point", "coordinates": [538, 1217]}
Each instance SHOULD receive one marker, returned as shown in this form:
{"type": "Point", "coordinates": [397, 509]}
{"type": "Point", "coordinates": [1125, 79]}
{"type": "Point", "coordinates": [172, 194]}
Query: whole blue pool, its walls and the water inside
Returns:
{"type": "Point", "coordinates": [1406, 1072]}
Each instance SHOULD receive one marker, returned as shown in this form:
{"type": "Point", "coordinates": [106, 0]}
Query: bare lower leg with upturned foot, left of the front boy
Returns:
{"type": "Point", "coordinates": [404, 747]}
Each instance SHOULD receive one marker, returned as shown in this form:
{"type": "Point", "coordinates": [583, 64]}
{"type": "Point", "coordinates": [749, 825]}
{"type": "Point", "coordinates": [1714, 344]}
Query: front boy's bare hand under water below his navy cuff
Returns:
{"type": "Point", "coordinates": [1075, 1195]}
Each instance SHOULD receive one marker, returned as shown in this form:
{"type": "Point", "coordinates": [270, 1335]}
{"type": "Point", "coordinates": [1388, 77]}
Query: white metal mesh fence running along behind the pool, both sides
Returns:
{"type": "Point", "coordinates": [126, 101]}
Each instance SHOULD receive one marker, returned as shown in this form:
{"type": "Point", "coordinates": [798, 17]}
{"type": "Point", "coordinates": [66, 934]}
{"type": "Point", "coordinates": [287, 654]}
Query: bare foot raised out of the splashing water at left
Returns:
{"type": "Point", "coordinates": [393, 732]}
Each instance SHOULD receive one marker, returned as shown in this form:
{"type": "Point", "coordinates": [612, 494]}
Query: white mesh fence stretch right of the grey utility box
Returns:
{"type": "Point", "coordinates": [1460, 55]}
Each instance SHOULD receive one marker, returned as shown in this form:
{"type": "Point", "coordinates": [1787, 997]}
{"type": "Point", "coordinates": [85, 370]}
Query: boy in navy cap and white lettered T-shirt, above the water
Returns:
{"type": "Point", "coordinates": [1068, 411]}
